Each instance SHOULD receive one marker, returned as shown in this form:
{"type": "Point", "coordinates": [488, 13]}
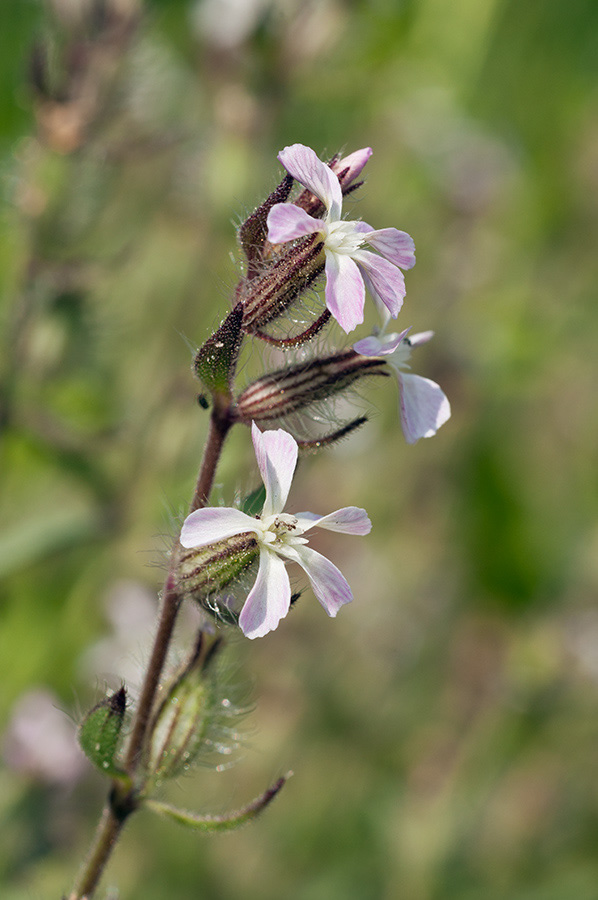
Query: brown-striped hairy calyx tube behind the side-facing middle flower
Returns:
{"type": "Point", "coordinates": [288, 390]}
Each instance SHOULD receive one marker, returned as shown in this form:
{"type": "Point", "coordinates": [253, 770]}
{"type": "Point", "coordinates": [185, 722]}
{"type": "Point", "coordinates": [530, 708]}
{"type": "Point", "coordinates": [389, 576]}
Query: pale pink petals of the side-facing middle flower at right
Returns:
{"type": "Point", "coordinates": [423, 405]}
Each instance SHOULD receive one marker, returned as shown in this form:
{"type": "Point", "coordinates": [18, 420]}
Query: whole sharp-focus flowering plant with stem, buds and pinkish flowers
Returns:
{"type": "Point", "coordinates": [232, 561]}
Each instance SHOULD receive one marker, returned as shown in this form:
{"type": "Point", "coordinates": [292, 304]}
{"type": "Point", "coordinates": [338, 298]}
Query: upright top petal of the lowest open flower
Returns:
{"type": "Point", "coordinates": [276, 454]}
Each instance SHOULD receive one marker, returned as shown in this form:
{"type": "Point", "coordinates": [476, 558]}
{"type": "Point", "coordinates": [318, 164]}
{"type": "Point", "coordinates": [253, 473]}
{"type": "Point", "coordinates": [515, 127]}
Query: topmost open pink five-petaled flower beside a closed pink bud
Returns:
{"type": "Point", "coordinates": [349, 267]}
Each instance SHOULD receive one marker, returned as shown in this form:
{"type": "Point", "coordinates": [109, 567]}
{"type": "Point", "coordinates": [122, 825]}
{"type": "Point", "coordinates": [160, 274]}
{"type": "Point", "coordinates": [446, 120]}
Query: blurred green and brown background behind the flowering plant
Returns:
{"type": "Point", "coordinates": [443, 729]}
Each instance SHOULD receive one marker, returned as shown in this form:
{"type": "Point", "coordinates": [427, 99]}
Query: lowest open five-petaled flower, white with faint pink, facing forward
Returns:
{"type": "Point", "coordinates": [280, 538]}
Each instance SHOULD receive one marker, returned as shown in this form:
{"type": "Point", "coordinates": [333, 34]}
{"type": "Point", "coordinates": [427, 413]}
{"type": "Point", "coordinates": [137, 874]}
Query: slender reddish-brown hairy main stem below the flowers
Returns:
{"type": "Point", "coordinates": [122, 800]}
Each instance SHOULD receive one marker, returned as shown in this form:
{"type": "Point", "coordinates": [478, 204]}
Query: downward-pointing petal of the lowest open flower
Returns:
{"type": "Point", "coordinates": [269, 599]}
